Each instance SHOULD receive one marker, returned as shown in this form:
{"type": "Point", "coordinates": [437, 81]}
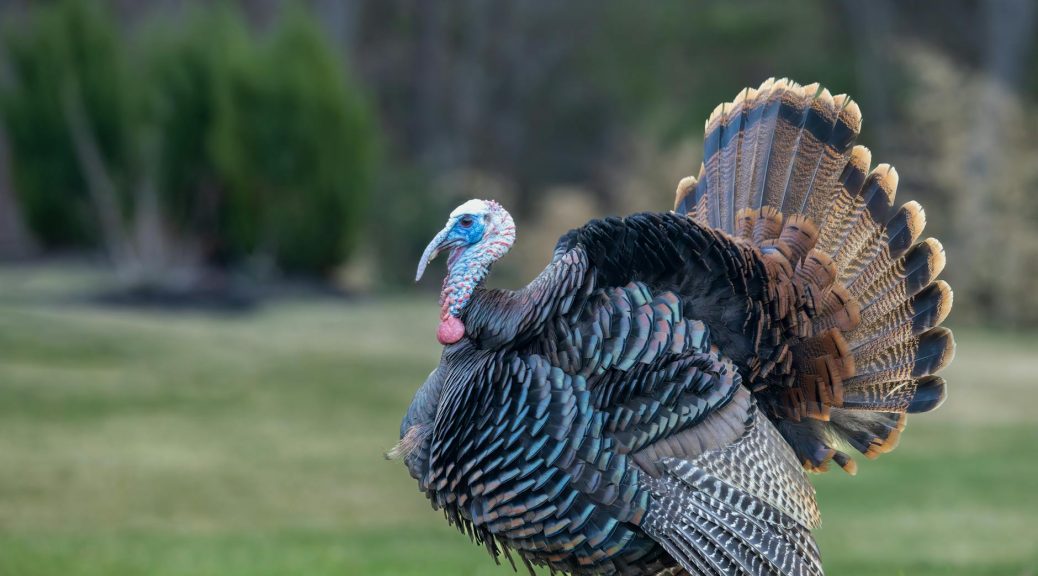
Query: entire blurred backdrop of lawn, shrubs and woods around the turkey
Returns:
{"type": "Point", "coordinates": [210, 214]}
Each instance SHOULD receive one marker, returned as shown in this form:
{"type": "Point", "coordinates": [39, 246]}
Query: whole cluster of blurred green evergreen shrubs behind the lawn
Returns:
{"type": "Point", "coordinates": [257, 145]}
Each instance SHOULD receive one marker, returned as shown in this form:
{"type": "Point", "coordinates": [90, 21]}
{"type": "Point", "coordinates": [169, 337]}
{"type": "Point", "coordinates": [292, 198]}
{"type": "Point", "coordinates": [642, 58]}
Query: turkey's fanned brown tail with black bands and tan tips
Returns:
{"type": "Point", "coordinates": [857, 308]}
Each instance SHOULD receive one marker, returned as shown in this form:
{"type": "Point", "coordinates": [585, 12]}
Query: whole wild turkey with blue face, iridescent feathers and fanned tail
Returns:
{"type": "Point", "coordinates": [649, 404]}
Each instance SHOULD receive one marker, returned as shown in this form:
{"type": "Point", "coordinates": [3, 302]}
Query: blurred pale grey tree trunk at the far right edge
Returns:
{"type": "Point", "coordinates": [991, 258]}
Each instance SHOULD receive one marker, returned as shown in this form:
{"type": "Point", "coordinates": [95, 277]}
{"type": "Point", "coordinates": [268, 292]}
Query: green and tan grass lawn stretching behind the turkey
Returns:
{"type": "Point", "coordinates": [185, 444]}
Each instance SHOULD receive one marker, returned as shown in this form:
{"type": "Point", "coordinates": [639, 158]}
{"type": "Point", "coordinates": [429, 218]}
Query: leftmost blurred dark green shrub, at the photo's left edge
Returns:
{"type": "Point", "coordinates": [72, 49]}
